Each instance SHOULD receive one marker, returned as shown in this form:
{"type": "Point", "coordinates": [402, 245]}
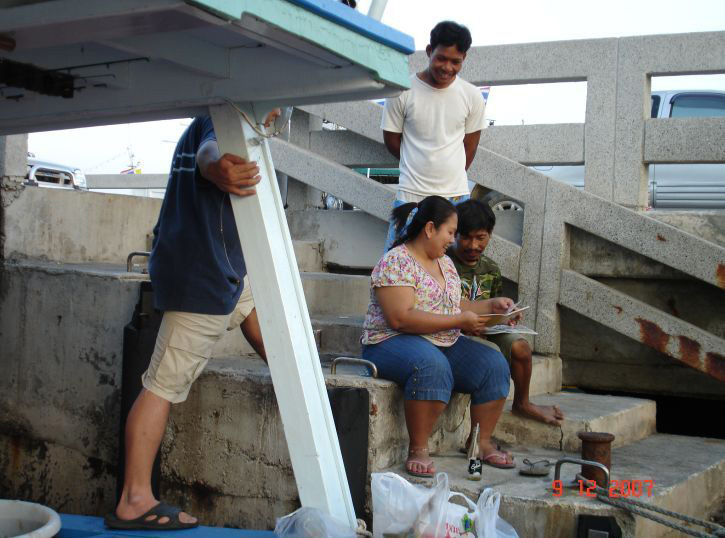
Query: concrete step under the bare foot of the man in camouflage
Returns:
{"type": "Point", "coordinates": [629, 419]}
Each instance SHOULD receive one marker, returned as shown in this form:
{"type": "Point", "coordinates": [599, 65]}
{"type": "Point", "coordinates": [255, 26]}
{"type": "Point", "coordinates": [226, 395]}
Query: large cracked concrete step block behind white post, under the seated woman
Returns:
{"type": "Point", "coordinates": [225, 457]}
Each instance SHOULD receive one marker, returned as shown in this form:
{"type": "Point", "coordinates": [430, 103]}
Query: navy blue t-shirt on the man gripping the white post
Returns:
{"type": "Point", "coordinates": [196, 260]}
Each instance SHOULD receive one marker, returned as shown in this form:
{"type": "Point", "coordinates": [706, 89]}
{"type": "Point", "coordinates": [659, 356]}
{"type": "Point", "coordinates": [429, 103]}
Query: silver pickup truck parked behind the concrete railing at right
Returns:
{"type": "Point", "coordinates": [671, 186]}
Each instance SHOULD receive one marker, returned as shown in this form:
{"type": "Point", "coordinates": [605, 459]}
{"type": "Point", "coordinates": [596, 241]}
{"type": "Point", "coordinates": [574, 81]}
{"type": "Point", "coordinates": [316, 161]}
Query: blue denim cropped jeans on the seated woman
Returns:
{"type": "Point", "coordinates": [430, 372]}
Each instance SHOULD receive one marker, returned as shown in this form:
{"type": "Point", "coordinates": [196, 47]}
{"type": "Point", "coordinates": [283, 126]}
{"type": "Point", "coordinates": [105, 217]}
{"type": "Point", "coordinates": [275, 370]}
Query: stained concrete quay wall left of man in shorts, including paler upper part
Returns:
{"type": "Point", "coordinates": [63, 308]}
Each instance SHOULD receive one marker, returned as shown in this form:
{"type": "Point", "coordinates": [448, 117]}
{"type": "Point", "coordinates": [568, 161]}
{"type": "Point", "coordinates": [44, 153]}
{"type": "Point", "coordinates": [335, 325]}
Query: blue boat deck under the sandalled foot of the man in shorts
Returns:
{"type": "Point", "coordinates": [93, 527]}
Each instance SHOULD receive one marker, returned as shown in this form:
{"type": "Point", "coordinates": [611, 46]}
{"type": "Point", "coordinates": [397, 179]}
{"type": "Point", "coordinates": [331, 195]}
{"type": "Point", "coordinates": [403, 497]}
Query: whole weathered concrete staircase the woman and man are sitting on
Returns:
{"type": "Point", "coordinates": [245, 478]}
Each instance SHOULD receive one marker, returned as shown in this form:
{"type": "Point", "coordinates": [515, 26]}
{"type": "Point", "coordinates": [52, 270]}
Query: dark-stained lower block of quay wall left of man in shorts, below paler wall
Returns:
{"type": "Point", "coordinates": [61, 335]}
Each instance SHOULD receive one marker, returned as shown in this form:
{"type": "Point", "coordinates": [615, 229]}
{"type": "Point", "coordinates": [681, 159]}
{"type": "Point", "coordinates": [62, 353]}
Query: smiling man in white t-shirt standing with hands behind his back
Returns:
{"type": "Point", "coordinates": [435, 126]}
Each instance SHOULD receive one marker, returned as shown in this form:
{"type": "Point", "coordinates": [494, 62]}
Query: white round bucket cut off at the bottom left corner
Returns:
{"type": "Point", "coordinates": [19, 519]}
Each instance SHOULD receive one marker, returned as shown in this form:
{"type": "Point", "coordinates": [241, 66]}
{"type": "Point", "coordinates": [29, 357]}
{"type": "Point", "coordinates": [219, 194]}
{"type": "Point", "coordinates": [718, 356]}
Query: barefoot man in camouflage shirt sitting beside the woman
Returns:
{"type": "Point", "coordinates": [480, 280]}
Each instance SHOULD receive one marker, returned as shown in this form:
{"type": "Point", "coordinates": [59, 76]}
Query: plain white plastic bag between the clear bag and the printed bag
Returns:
{"type": "Point", "coordinates": [401, 509]}
